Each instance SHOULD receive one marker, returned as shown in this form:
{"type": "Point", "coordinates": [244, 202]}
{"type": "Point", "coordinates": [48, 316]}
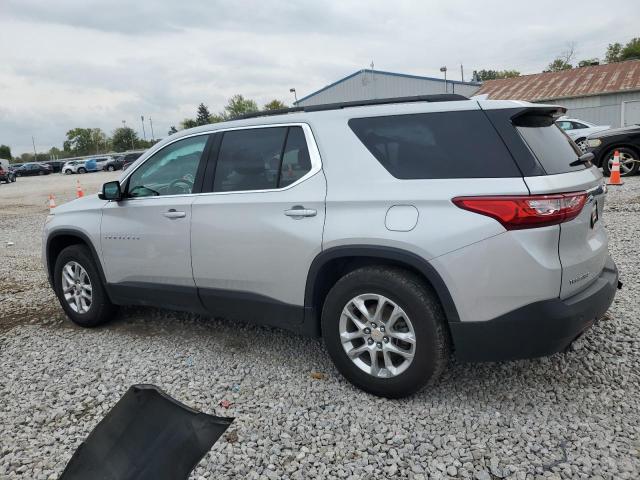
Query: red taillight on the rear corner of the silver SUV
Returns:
{"type": "Point", "coordinates": [526, 211]}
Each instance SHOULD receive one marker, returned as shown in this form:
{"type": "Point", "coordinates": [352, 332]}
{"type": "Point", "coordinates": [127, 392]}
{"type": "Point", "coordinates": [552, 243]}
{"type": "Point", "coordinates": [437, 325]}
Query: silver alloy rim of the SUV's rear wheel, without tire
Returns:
{"type": "Point", "coordinates": [377, 335]}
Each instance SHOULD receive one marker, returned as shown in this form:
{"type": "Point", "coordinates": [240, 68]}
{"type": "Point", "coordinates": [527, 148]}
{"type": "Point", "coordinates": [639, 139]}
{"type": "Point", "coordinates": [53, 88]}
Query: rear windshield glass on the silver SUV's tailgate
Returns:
{"type": "Point", "coordinates": [553, 149]}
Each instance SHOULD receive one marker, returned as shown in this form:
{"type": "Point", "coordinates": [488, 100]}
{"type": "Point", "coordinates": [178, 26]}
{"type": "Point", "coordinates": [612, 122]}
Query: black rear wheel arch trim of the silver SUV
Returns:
{"type": "Point", "coordinates": [333, 263]}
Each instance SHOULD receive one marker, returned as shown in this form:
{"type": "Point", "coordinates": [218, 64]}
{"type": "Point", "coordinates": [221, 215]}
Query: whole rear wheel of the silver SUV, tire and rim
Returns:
{"type": "Point", "coordinates": [385, 331]}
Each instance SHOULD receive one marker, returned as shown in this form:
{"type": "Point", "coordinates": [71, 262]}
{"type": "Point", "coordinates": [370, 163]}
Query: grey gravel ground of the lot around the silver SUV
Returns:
{"type": "Point", "coordinates": [573, 415]}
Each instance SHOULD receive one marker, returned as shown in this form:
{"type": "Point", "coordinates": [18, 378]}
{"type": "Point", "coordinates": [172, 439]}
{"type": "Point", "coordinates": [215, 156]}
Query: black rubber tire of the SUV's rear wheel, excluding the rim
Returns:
{"type": "Point", "coordinates": [421, 305]}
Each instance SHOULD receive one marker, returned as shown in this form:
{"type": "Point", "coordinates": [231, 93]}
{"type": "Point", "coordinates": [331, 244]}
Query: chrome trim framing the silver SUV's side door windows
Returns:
{"type": "Point", "coordinates": [312, 146]}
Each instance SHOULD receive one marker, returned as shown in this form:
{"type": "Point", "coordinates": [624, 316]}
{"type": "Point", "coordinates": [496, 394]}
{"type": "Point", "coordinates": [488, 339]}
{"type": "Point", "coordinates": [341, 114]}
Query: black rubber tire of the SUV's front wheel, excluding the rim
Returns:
{"type": "Point", "coordinates": [101, 309]}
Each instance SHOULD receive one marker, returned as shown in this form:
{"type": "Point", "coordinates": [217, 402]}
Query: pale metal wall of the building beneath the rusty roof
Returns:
{"type": "Point", "coordinates": [604, 109]}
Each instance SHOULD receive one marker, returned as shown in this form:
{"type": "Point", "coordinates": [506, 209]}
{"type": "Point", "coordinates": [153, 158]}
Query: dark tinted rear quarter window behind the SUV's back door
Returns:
{"type": "Point", "coordinates": [436, 145]}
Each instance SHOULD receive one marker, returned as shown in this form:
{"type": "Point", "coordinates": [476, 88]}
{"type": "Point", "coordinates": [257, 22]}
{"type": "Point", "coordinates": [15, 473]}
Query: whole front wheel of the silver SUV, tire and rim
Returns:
{"type": "Point", "coordinates": [79, 289]}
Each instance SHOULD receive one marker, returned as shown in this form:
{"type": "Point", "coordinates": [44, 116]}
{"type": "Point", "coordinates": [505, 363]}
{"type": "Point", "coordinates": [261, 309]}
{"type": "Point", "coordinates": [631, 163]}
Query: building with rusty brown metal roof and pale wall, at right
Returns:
{"type": "Point", "coordinates": [602, 94]}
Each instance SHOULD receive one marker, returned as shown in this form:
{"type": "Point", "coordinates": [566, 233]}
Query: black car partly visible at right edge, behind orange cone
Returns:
{"type": "Point", "coordinates": [626, 140]}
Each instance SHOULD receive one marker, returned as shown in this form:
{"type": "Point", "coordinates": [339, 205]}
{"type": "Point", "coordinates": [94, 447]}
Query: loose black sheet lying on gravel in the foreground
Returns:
{"type": "Point", "coordinates": [146, 435]}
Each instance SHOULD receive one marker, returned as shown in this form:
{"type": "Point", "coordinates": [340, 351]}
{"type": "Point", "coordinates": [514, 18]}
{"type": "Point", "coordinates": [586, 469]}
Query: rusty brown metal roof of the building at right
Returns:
{"type": "Point", "coordinates": [577, 82]}
